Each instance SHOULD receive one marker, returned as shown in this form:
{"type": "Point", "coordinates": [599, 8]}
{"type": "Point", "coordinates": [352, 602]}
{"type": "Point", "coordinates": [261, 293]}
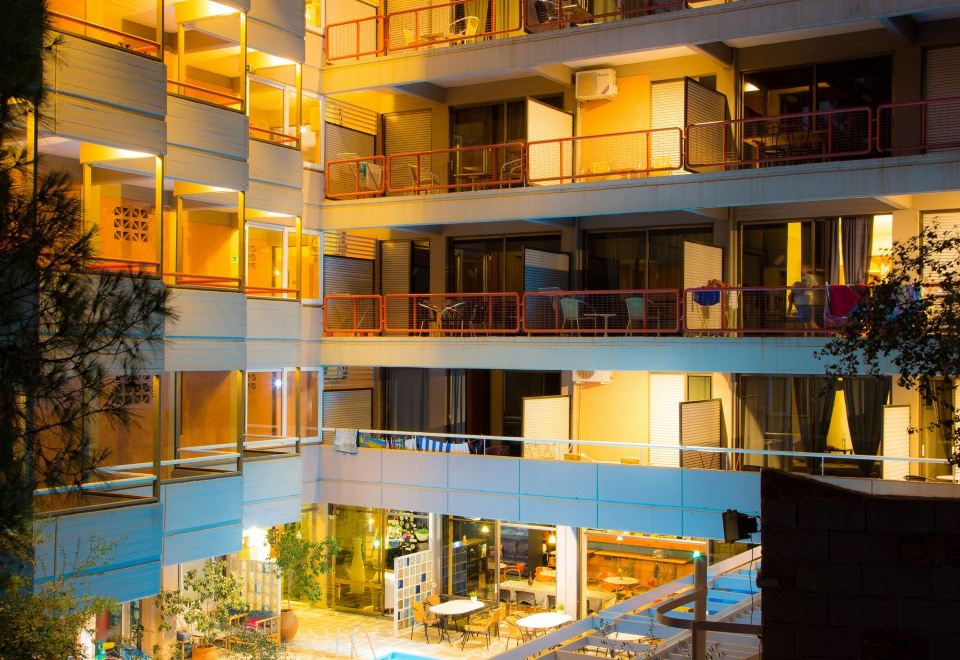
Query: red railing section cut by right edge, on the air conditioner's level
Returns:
{"type": "Point", "coordinates": [914, 125]}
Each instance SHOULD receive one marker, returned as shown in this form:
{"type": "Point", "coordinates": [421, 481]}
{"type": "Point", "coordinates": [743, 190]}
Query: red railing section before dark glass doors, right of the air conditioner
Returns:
{"type": "Point", "coordinates": [762, 141]}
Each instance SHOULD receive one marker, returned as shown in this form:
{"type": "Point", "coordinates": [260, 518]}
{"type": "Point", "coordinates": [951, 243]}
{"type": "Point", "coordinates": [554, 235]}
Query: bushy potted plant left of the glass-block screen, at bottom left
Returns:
{"type": "Point", "coordinates": [207, 600]}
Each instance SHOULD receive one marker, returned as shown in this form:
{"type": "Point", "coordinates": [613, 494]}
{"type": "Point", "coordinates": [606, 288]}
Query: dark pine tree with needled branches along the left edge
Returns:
{"type": "Point", "coordinates": [69, 335]}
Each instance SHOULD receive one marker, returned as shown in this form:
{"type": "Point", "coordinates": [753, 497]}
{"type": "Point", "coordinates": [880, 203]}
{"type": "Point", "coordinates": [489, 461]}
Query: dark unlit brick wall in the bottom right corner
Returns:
{"type": "Point", "coordinates": [853, 575]}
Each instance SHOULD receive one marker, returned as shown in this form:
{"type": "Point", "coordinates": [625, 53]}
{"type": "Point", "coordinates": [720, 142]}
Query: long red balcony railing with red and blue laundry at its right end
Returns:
{"type": "Point", "coordinates": [730, 311]}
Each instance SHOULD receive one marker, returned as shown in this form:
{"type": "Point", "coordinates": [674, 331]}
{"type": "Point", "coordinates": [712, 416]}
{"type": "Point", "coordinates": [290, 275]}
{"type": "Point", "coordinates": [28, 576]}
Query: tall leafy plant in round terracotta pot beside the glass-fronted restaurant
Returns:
{"type": "Point", "coordinates": [301, 563]}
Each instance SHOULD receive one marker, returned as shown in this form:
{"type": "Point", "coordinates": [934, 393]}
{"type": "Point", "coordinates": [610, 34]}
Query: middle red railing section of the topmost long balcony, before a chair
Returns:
{"type": "Point", "coordinates": [441, 24]}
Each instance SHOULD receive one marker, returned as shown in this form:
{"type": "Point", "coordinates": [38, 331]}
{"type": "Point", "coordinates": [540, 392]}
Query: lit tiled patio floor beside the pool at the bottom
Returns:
{"type": "Point", "coordinates": [317, 638]}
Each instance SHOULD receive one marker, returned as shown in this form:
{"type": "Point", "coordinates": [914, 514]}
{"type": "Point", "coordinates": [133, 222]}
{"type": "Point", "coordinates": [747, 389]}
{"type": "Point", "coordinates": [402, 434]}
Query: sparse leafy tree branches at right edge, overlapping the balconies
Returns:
{"type": "Point", "coordinates": [910, 318]}
